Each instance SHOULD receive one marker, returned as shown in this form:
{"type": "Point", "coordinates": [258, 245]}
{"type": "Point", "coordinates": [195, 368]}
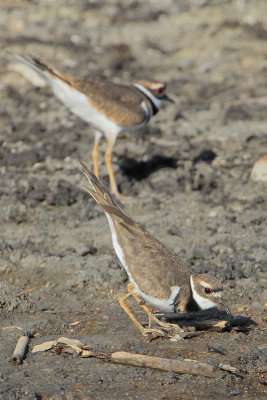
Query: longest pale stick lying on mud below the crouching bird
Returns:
{"type": "Point", "coordinates": [165, 364]}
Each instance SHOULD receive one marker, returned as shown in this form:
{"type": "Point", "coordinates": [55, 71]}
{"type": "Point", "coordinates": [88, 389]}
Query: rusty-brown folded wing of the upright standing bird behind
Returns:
{"type": "Point", "coordinates": [120, 103]}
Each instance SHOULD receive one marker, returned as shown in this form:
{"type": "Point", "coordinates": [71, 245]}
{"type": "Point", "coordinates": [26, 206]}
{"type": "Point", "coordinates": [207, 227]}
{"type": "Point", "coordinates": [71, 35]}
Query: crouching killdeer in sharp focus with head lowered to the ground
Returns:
{"type": "Point", "coordinates": [158, 276]}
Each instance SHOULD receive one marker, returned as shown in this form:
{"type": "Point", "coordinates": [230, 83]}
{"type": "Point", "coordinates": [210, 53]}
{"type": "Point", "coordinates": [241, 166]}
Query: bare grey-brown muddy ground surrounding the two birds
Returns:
{"type": "Point", "coordinates": [188, 174]}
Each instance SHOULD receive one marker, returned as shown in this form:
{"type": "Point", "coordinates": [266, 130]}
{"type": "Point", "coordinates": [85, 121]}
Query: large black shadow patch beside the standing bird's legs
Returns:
{"type": "Point", "coordinates": [139, 170]}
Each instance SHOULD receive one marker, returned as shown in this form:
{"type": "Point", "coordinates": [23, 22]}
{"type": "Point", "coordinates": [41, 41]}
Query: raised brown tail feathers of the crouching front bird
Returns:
{"type": "Point", "coordinates": [103, 198]}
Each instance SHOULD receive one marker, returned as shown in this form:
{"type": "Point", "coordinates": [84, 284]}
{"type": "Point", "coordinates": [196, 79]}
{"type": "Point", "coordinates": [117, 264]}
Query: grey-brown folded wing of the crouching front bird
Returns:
{"type": "Point", "coordinates": [154, 266]}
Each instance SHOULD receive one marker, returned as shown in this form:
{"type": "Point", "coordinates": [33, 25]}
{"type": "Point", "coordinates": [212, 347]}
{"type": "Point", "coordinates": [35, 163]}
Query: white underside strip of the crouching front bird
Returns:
{"type": "Point", "coordinates": [165, 304]}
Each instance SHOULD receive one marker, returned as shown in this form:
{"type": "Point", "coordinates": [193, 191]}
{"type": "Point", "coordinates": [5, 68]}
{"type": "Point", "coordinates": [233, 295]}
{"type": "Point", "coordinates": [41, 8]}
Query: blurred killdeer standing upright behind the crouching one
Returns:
{"type": "Point", "coordinates": [109, 107]}
